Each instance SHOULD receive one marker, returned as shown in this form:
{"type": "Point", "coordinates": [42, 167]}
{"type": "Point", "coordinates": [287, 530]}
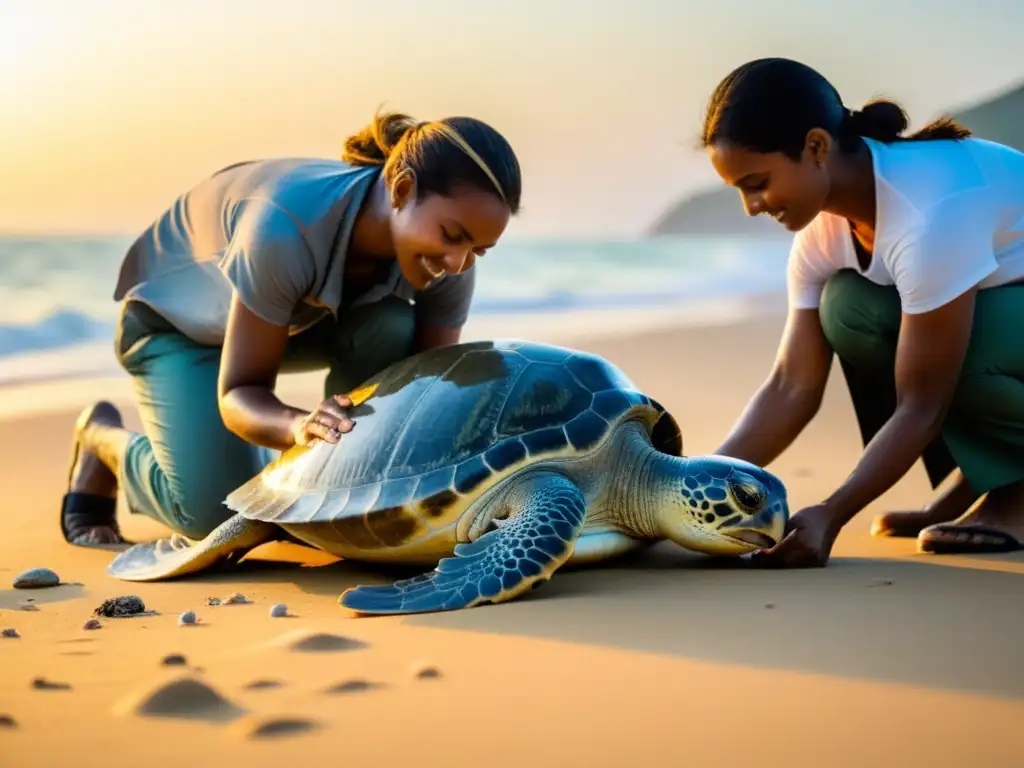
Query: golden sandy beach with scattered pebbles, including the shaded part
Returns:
{"type": "Point", "coordinates": [666, 659]}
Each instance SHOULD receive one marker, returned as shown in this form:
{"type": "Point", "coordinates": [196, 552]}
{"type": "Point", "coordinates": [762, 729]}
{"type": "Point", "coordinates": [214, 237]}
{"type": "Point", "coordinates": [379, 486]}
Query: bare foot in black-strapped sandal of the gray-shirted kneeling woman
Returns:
{"type": "Point", "coordinates": [91, 477]}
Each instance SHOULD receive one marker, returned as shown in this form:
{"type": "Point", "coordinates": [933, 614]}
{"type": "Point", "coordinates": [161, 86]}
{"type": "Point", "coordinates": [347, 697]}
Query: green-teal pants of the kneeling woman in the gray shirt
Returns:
{"type": "Point", "coordinates": [181, 471]}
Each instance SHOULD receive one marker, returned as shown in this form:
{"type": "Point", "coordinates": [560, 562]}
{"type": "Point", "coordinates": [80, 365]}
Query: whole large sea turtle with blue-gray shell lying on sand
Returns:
{"type": "Point", "coordinates": [497, 462]}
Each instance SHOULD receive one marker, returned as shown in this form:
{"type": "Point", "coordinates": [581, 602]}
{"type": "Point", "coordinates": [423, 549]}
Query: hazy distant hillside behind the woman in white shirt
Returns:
{"type": "Point", "coordinates": [719, 211]}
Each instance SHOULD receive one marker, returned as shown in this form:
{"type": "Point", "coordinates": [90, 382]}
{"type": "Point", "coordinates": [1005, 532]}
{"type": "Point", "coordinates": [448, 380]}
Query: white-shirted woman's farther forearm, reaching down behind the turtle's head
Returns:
{"type": "Point", "coordinates": [775, 418]}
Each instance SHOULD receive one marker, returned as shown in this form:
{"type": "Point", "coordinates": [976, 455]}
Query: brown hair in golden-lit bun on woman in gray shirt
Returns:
{"type": "Point", "coordinates": [444, 155]}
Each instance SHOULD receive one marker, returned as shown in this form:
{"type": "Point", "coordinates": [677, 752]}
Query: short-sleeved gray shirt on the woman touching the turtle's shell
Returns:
{"type": "Point", "coordinates": [278, 233]}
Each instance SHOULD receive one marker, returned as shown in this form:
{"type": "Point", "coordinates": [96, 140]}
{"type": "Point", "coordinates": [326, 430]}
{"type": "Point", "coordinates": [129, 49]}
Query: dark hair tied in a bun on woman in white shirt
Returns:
{"type": "Point", "coordinates": [770, 105]}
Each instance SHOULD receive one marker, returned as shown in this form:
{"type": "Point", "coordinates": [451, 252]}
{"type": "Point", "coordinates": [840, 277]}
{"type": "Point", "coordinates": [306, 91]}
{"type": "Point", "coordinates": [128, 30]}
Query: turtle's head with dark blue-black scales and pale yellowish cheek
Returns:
{"type": "Point", "coordinates": [724, 506]}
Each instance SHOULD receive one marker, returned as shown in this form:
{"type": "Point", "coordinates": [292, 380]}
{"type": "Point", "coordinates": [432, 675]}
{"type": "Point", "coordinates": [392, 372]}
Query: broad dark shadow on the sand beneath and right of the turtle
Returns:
{"type": "Point", "coordinates": [919, 621]}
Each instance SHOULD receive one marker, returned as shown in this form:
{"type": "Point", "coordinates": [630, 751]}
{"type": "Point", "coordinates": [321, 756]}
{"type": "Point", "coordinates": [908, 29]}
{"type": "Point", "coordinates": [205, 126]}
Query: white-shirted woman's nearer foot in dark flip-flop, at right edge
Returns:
{"type": "Point", "coordinates": [996, 526]}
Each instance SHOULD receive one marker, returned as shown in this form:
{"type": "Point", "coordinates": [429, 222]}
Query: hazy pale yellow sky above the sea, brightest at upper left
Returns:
{"type": "Point", "coordinates": [110, 109]}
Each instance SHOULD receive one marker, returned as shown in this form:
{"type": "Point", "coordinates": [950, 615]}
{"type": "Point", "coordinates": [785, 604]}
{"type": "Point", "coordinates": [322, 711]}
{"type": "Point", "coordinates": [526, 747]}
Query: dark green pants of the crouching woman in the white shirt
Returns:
{"type": "Point", "coordinates": [984, 433]}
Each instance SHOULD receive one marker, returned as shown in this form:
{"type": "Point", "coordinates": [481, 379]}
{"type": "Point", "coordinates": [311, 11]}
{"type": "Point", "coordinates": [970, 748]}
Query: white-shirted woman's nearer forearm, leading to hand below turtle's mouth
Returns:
{"type": "Point", "coordinates": [886, 459]}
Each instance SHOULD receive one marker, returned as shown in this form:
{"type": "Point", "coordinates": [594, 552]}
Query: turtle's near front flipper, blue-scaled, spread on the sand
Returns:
{"type": "Point", "coordinates": [548, 514]}
